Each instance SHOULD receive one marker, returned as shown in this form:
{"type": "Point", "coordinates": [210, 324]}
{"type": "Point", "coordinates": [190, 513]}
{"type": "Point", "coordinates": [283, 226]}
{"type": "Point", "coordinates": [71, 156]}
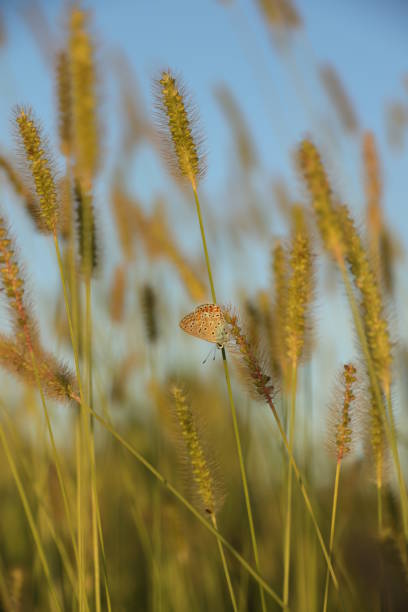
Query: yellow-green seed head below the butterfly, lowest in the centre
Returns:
{"type": "Point", "coordinates": [200, 468]}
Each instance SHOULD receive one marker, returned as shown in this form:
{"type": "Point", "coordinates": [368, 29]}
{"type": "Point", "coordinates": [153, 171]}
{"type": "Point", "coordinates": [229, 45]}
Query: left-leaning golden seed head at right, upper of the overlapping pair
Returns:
{"type": "Point", "coordinates": [314, 175]}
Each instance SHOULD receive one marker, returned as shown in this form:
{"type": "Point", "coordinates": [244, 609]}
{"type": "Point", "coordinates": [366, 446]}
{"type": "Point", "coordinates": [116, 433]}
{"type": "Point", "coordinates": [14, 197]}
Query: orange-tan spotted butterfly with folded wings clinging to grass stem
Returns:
{"type": "Point", "coordinates": [206, 322]}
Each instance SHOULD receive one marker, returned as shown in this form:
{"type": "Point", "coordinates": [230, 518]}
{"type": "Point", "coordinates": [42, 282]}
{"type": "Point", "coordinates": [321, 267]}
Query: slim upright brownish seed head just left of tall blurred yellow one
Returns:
{"type": "Point", "coordinates": [63, 78]}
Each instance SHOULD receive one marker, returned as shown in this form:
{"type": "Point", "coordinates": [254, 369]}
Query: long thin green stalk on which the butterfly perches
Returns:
{"type": "Point", "coordinates": [231, 402]}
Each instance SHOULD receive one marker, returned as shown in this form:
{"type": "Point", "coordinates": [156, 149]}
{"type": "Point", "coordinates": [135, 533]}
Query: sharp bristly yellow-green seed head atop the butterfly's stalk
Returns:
{"type": "Point", "coordinates": [177, 124]}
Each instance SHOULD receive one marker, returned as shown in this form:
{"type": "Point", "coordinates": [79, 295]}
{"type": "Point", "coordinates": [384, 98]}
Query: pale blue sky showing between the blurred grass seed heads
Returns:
{"type": "Point", "coordinates": [279, 93]}
